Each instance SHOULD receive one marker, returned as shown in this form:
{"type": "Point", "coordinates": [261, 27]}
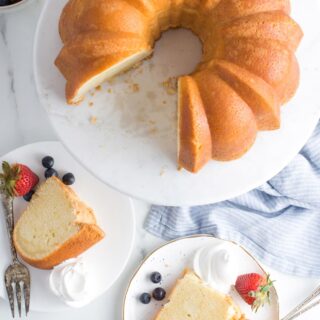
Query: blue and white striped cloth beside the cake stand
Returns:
{"type": "Point", "coordinates": [278, 222]}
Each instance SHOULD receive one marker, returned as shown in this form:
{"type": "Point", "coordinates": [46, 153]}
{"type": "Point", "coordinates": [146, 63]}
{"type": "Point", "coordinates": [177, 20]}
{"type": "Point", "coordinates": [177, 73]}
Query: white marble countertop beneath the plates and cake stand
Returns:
{"type": "Point", "coordinates": [23, 121]}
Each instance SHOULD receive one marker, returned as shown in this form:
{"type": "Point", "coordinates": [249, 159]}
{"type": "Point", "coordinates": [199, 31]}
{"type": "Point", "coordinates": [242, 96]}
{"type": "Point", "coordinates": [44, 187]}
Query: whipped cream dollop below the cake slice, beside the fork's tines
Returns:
{"type": "Point", "coordinates": [70, 282]}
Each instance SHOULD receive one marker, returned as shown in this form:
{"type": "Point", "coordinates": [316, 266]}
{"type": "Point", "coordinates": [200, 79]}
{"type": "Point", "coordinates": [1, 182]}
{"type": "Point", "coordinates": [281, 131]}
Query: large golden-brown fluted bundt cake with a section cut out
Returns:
{"type": "Point", "coordinates": [247, 72]}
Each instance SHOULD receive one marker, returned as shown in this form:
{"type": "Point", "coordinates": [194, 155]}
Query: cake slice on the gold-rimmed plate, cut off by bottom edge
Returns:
{"type": "Point", "coordinates": [191, 299]}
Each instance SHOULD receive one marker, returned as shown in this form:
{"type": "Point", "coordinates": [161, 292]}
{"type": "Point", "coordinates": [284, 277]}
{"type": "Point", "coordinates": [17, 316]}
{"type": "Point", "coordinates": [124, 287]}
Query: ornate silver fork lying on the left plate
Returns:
{"type": "Point", "coordinates": [17, 276]}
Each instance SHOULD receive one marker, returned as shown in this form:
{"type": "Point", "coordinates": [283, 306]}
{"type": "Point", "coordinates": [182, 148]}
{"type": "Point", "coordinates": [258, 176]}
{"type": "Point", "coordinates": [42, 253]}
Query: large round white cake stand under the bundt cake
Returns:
{"type": "Point", "coordinates": [132, 147]}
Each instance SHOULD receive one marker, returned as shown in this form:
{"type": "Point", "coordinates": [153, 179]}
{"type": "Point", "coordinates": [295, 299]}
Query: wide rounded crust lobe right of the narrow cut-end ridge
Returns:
{"type": "Point", "coordinates": [231, 121]}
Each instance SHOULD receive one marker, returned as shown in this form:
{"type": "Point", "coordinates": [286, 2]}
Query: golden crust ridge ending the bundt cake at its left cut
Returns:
{"type": "Point", "coordinates": [91, 53]}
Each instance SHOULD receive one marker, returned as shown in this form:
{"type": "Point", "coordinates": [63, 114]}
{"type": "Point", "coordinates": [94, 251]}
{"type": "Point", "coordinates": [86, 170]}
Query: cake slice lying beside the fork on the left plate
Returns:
{"type": "Point", "coordinates": [56, 226]}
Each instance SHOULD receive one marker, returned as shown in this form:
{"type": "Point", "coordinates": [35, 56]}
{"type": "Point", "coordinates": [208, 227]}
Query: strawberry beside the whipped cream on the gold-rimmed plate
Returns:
{"type": "Point", "coordinates": [254, 289]}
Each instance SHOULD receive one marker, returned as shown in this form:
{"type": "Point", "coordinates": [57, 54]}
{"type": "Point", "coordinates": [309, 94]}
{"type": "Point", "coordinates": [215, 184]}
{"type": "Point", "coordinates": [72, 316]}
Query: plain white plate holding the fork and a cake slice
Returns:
{"type": "Point", "coordinates": [115, 215]}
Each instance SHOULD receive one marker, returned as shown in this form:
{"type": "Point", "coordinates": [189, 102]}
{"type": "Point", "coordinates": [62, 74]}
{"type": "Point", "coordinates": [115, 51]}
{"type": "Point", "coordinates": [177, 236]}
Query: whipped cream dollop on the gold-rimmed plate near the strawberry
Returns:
{"type": "Point", "coordinates": [217, 266]}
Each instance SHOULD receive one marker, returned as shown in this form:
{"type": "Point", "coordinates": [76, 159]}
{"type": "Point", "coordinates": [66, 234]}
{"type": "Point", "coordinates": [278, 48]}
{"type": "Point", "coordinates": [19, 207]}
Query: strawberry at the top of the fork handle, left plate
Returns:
{"type": "Point", "coordinates": [17, 180]}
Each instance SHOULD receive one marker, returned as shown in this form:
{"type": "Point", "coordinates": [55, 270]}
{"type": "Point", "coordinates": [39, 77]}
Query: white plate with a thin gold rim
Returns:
{"type": "Point", "coordinates": [170, 260]}
